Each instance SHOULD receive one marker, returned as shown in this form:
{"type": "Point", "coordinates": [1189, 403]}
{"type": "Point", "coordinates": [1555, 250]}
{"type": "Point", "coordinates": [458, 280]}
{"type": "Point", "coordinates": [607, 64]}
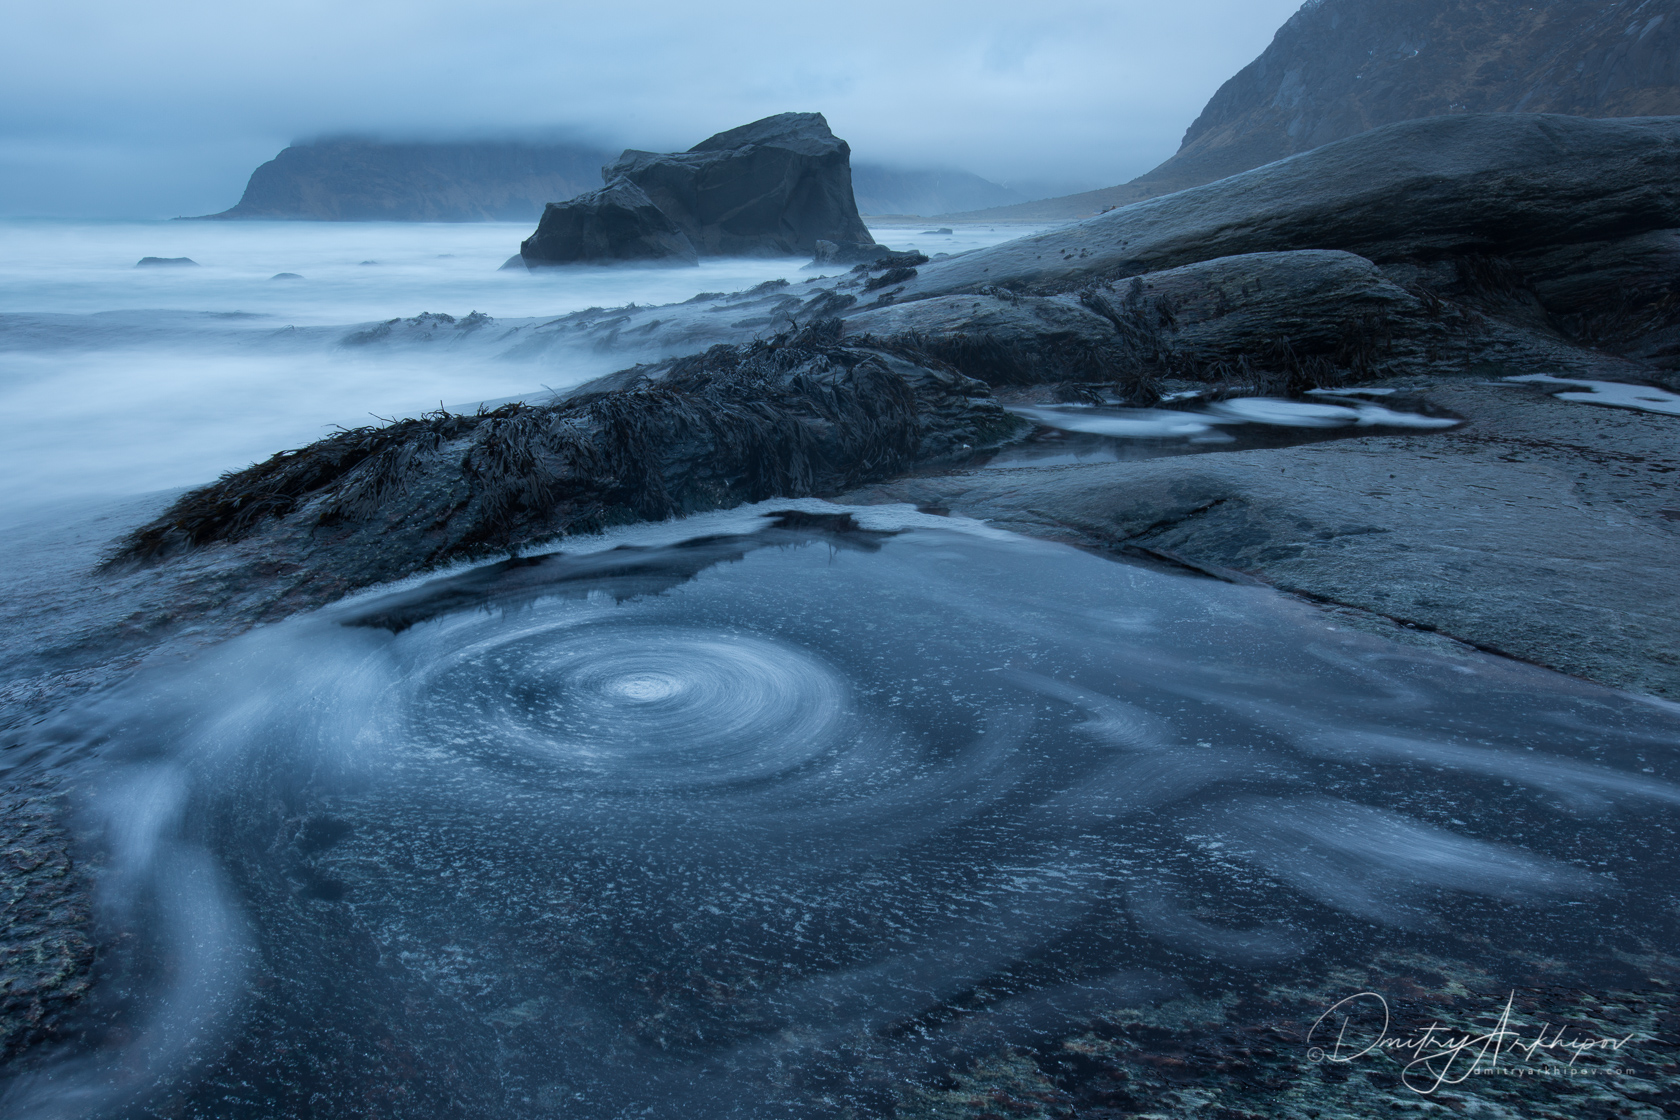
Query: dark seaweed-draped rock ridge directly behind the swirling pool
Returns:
{"type": "Point", "coordinates": [792, 417]}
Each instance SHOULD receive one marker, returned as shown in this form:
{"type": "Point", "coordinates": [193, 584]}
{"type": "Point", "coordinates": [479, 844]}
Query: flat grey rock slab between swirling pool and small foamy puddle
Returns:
{"type": "Point", "coordinates": [1536, 530]}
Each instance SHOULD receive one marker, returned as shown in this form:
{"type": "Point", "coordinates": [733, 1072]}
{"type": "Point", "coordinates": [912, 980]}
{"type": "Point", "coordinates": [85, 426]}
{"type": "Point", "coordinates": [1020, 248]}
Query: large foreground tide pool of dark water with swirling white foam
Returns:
{"type": "Point", "coordinates": [785, 817]}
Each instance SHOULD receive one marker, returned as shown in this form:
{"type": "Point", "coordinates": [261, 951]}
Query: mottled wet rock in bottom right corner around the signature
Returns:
{"type": "Point", "coordinates": [1249, 1054]}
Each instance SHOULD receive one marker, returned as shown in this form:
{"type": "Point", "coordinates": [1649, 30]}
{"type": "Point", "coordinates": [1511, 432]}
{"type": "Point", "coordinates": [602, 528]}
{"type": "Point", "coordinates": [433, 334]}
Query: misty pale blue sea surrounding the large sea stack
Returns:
{"type": "Point", "coordinates": [125, 380]}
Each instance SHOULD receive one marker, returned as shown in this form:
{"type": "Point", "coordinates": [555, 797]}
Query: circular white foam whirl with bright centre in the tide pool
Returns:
{"type": "Point", "coordinates": [644, 706]}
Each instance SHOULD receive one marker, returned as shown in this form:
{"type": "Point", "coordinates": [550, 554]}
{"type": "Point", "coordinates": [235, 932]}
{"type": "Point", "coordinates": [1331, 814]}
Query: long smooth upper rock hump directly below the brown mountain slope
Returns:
{"type": "Point", "coordinates": [1422, 191]}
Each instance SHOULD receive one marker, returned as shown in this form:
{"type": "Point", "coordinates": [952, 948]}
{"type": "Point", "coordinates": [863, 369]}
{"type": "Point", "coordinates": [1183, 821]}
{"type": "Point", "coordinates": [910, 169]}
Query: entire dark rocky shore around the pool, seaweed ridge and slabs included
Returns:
{"type": "Point", "coordinates": [1541, 530]}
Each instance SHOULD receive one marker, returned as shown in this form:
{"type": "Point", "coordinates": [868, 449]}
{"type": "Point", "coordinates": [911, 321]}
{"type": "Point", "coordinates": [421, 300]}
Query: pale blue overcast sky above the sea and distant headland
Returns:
{"type": "Point", "coordinates": [155, 110]}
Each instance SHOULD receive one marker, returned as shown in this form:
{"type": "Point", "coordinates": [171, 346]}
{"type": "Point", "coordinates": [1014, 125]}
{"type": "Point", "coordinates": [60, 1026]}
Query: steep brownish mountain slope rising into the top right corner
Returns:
{"type": "Point", "coordinates": [1340, 68]}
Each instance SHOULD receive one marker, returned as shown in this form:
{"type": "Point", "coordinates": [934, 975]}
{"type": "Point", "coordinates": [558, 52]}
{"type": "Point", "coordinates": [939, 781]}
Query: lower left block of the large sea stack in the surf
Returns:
{"type": "Point", "coordinates": [617, 222]}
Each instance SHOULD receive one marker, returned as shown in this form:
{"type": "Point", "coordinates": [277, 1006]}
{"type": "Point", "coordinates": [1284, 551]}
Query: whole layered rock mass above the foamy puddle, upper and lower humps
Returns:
{"type": "Point", "coordinates": [1528, 241]}
